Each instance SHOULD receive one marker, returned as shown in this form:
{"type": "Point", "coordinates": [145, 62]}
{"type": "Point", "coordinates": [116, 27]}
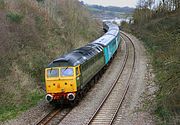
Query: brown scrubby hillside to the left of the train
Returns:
{"type": "Point", "coordinates": [31, 35]}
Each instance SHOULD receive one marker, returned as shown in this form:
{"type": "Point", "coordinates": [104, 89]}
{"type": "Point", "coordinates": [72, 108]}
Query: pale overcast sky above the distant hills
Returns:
{"type": "Point", "coordinates": [120, 3]}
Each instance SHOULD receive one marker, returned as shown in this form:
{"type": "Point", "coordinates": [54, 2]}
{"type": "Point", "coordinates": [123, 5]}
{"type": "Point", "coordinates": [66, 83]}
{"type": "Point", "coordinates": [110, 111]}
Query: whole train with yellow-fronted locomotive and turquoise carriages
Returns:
{"type": "Point", "coordinates": [70, 76]}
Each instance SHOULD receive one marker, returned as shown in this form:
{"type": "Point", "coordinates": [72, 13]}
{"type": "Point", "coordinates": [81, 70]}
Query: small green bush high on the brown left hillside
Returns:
{"type": "Point", "coordinates": [15, 17]}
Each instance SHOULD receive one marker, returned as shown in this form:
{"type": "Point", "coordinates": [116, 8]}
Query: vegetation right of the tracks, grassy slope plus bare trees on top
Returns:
{"type": "Point", "coordinates": [159, 29]}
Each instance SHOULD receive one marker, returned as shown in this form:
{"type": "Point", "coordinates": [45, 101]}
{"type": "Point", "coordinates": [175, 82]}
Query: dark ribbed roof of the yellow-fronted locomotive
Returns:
{"type": "Point", "coordinates": [77, 56]}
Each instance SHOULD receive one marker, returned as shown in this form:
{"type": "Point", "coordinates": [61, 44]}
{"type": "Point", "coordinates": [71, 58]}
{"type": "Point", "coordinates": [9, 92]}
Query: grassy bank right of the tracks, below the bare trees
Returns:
{"type": "Point", "coordinates": [161, 37]}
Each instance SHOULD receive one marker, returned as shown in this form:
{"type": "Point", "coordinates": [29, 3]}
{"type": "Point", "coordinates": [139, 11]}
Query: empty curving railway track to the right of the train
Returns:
{"type": "Point", "coordinates": [109, 107]}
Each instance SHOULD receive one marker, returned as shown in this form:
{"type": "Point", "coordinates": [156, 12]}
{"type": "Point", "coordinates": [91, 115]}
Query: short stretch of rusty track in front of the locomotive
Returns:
{"type": "Point", "coordinates": [54, 117]}
